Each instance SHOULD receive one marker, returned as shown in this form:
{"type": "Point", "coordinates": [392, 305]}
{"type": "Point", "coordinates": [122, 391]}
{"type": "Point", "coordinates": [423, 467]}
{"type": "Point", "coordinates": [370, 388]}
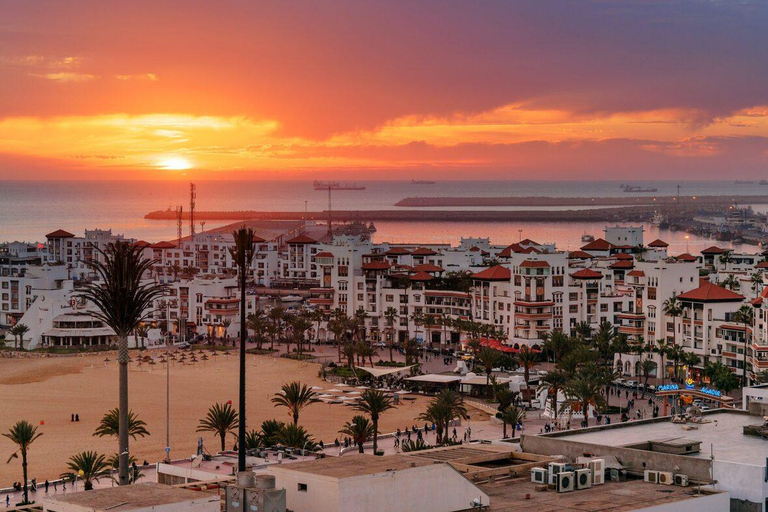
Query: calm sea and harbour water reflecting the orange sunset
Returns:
{"type": "Point", "coordinates": [29, 210]}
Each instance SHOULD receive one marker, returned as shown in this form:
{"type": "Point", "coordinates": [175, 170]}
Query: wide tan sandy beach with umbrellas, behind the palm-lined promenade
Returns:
{"type": "Point", "coordinates": [49, 390]}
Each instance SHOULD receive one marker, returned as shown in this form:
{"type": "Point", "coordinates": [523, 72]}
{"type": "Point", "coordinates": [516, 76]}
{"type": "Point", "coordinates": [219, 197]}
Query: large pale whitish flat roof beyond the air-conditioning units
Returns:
{"type": "Point", "coordinates": [724, 434]}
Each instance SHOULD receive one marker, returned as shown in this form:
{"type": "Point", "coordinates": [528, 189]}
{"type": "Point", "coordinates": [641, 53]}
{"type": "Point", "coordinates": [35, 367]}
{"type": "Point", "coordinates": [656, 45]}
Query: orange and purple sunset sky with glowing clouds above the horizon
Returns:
{"type": "Point", "coordinates": [384, 90]}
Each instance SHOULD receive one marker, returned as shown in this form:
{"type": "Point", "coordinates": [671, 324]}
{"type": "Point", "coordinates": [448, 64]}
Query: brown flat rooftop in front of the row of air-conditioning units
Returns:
{"type": "Point", "coordinates": [612, 496]}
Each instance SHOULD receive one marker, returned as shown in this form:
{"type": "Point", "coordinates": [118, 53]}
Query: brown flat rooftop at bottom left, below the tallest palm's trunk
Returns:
{"type": "Point", "coordinates": [132, 497]}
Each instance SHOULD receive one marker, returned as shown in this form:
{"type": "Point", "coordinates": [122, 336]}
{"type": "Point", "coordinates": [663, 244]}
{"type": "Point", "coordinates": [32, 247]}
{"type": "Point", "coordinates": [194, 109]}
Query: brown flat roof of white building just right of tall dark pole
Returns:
{"type": "Point", "coordinates": [354, 465]}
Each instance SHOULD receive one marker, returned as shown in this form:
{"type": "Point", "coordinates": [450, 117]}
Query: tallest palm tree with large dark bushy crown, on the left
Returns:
{"type": "Point", "coordinates": [123, 300]}
